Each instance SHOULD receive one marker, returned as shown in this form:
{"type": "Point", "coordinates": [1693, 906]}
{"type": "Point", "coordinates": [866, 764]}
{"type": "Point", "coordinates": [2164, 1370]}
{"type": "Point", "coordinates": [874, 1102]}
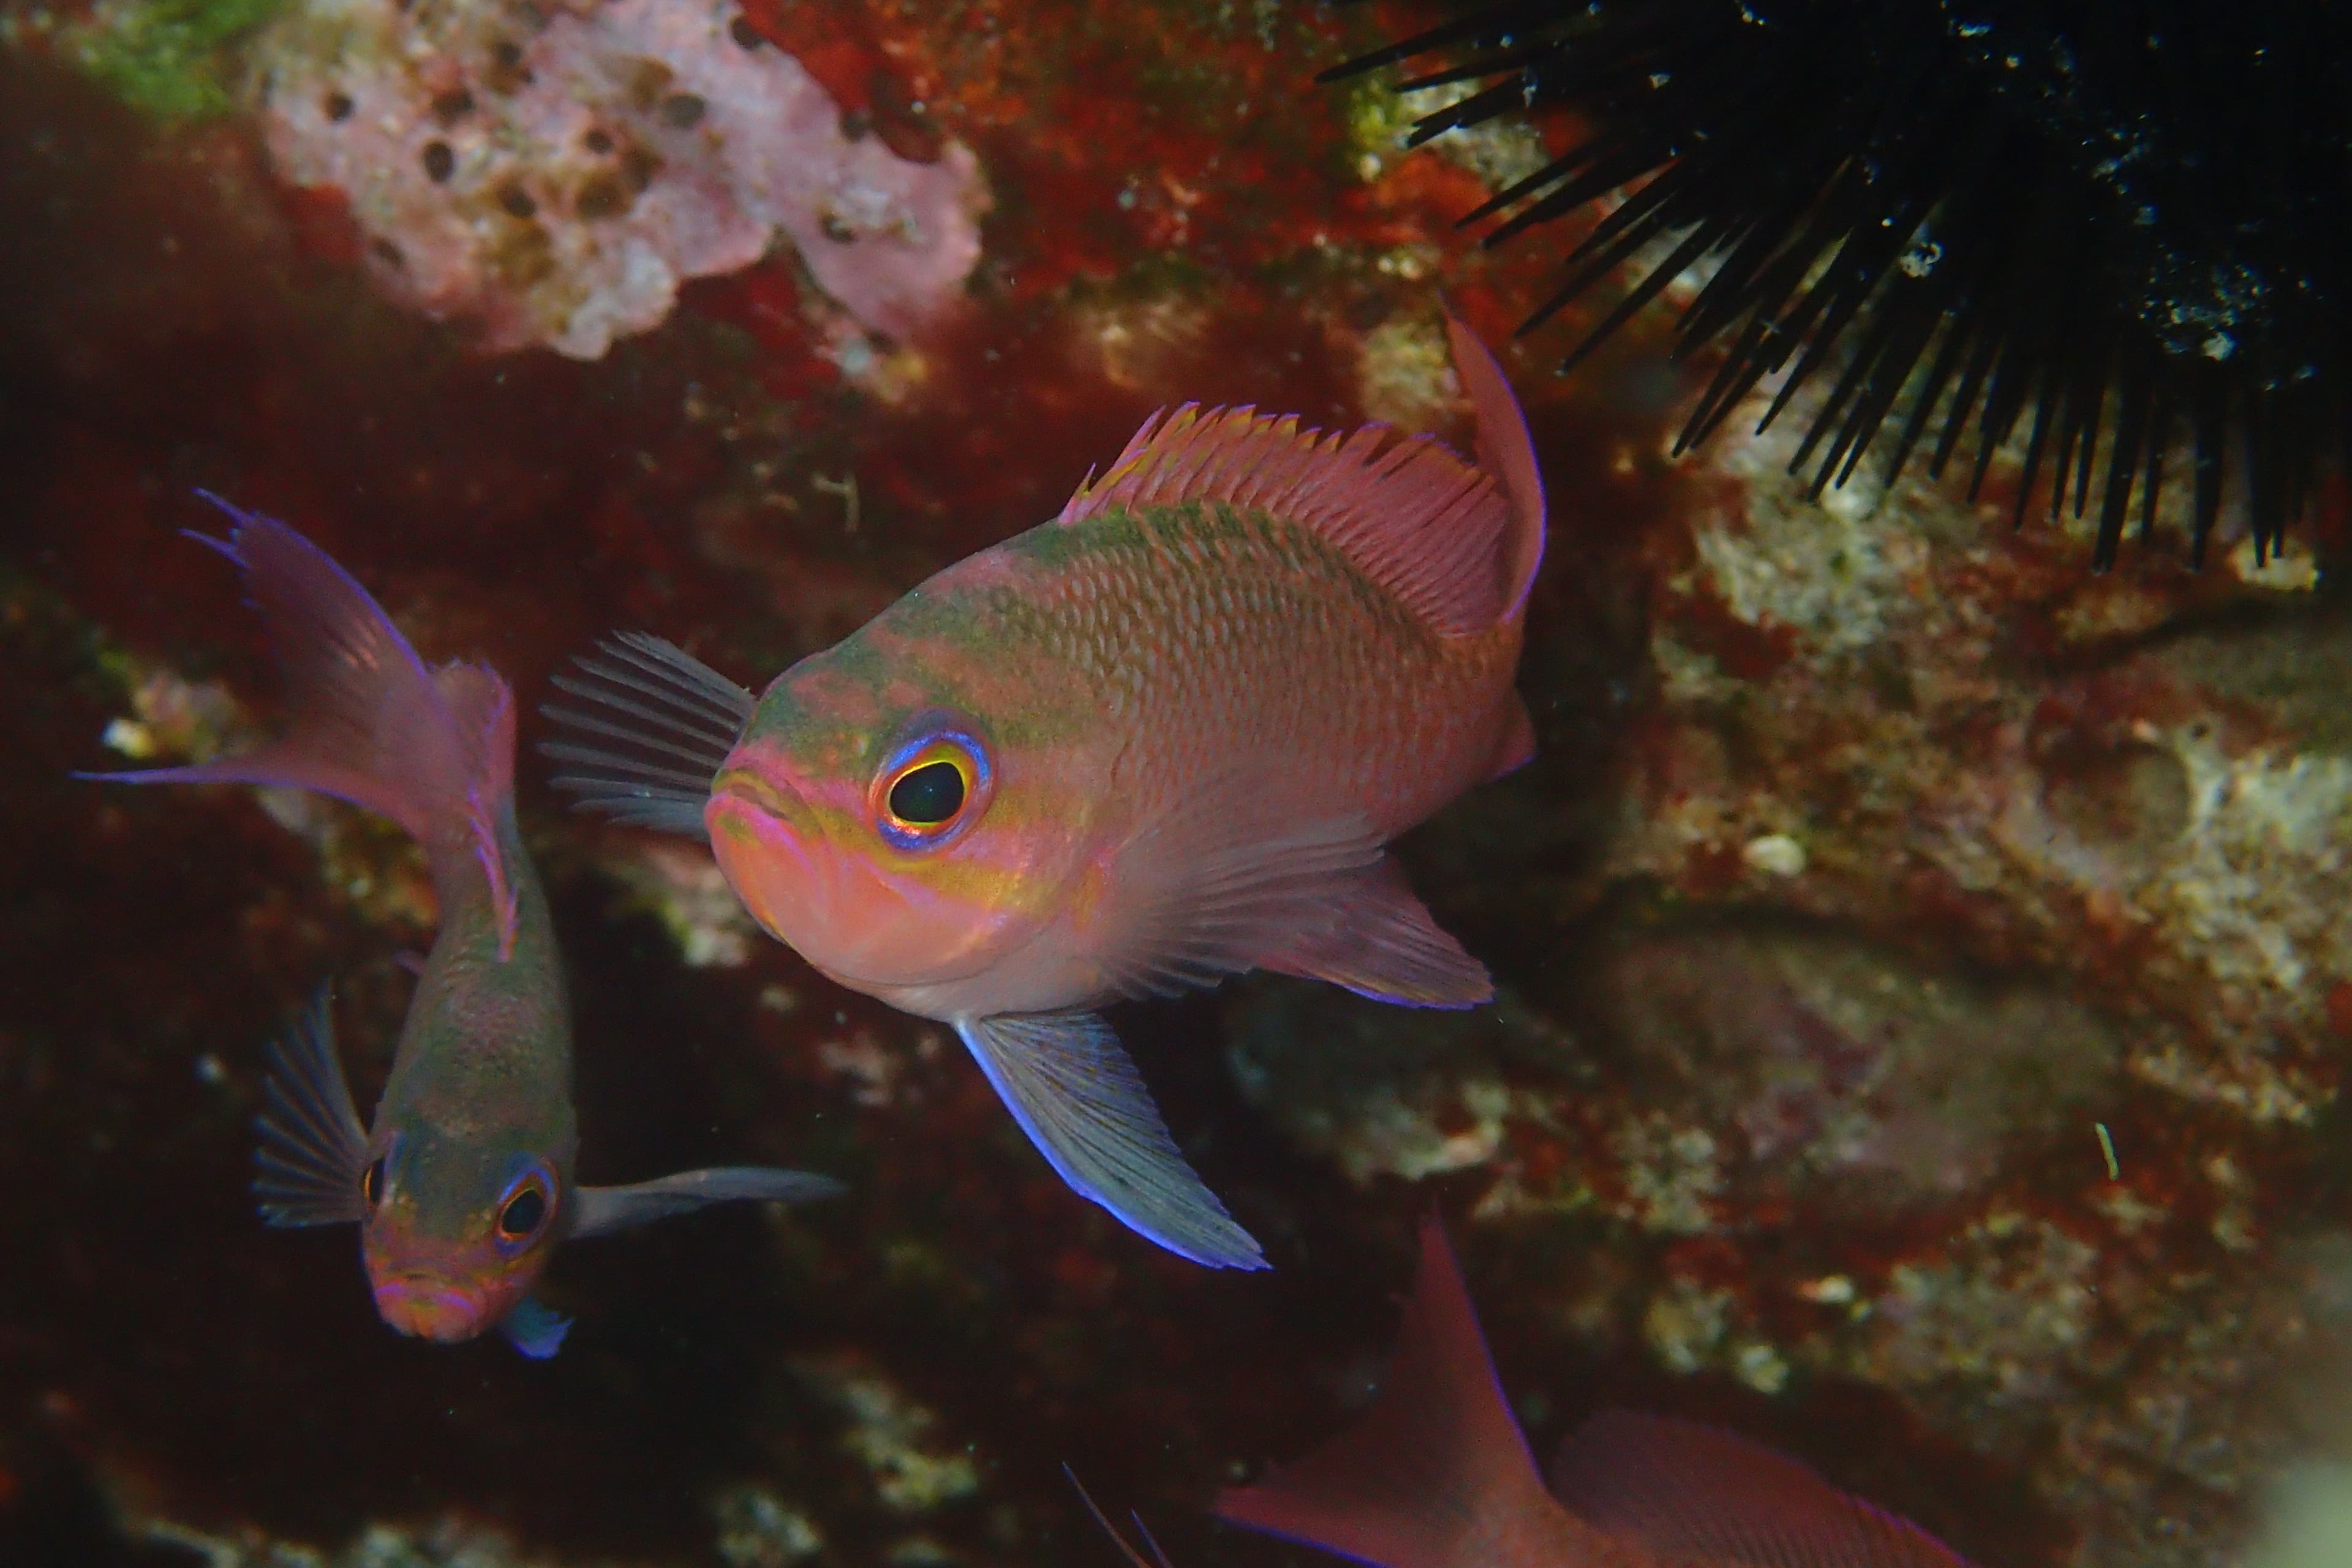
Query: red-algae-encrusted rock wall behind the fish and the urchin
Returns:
{"type": "Point", "coordinates": [1878, 876]}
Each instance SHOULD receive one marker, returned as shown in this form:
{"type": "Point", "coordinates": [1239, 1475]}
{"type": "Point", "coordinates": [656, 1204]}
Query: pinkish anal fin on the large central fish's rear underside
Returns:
{"type": "Point", "coordinates": [1384, 944]}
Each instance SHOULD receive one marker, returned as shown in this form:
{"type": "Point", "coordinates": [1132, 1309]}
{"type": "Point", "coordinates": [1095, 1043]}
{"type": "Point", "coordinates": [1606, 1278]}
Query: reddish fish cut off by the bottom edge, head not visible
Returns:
{"type": "Point", "coordinates": [1438, 1475]}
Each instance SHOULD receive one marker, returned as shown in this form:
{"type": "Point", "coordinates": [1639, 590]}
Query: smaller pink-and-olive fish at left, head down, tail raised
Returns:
{"type": "Point", "coordinates": [462, 1186]}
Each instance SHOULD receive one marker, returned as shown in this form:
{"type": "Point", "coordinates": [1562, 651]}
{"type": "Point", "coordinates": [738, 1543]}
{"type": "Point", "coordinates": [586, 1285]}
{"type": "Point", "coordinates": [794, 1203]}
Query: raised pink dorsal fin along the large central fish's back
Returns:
{"type": "Point", "coordinates": [1438, 532]}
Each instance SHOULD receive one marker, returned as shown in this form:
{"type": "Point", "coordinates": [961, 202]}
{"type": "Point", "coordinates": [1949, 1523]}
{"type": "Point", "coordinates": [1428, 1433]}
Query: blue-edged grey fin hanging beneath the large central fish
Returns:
{"type": "Point", "coordinates": [1085, 1106]}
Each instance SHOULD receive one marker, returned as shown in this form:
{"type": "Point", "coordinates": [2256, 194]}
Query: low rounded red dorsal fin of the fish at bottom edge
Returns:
{"type": "Point", "coordinates": [1699, 1494]}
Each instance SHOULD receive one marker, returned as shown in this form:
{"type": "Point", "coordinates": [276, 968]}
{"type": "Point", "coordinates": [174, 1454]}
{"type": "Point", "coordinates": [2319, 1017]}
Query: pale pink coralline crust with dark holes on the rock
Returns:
{"type": "Point", "coordinates": [556, 177]}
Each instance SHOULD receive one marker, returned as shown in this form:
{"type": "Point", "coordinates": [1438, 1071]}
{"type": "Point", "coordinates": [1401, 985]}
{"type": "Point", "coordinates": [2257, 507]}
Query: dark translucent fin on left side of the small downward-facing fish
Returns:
{"type": "Point", "coordinates": [307, 1170]}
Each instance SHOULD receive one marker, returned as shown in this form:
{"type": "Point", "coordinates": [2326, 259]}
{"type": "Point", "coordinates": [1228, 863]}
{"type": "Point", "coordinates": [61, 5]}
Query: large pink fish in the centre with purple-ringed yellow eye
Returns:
{"type": "Point", "coordinates": [1149, 744]}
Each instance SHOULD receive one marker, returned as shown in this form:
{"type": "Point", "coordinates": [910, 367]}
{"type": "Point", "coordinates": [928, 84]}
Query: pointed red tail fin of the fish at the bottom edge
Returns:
{"type": "Point", "coordinates": [1436, 1475]}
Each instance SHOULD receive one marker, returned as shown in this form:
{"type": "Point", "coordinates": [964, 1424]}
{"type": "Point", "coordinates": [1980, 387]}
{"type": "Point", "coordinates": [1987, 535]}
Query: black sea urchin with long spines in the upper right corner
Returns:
{"type": "Point", "coordinates": [2120, 217]}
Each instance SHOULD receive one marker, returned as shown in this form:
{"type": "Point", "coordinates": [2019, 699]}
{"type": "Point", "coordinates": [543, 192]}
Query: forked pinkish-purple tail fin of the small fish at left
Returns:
{"type": "Point", "coordinates": [366, 721]}
